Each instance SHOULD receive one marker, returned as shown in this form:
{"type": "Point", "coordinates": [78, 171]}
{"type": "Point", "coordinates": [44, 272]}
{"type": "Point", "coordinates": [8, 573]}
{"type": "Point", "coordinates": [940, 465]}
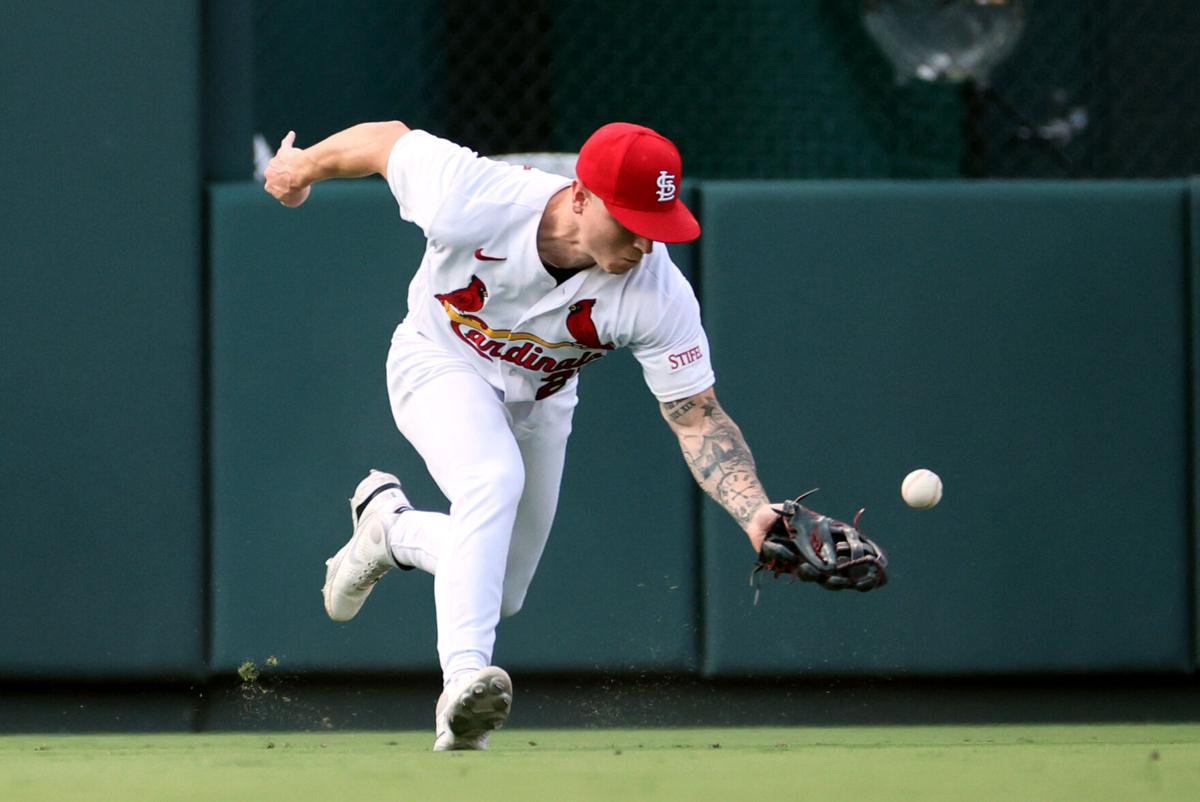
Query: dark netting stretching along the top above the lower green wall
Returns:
{"type": "Point", "coordinates": [751, 88]}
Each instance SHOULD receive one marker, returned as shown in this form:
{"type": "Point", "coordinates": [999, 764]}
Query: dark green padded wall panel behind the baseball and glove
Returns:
{"type": "Point", "coordinates": [1024, 342]}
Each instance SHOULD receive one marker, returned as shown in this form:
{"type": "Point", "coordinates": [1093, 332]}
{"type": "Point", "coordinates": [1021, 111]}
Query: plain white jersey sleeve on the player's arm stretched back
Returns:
{"type": "Point", "coordinates": [424, 171]}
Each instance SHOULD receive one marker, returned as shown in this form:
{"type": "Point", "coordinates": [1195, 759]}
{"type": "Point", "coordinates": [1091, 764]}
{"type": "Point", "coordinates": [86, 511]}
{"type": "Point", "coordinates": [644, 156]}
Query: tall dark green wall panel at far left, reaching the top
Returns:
{"type": "Point", "coordinates": [101, 343]}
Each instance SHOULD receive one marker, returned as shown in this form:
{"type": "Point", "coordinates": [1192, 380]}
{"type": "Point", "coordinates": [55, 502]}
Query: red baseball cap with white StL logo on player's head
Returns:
{"type": "Point", "coordinates": [638, 172]}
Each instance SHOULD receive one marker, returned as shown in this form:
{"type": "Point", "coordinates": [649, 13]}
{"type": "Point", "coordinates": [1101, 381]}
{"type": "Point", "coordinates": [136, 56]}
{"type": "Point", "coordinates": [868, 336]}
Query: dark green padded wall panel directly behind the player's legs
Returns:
{"type": "Point", "coordinates": [304, 304]}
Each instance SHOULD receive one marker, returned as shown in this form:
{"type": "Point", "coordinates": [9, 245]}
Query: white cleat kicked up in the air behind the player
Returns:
{"type": "Point", "coordinates": [353, 572]}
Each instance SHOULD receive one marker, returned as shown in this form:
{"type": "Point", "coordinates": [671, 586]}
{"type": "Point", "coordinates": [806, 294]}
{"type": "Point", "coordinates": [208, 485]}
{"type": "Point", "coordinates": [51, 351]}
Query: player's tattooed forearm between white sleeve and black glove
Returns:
{"type": "Point", "coordinates": [721, 460]}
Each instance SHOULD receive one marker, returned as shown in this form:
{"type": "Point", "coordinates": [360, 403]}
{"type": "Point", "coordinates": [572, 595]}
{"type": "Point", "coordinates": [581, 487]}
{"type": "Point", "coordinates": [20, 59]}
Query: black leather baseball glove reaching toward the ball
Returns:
{"type": "Point", "coordinates": [819, 549]}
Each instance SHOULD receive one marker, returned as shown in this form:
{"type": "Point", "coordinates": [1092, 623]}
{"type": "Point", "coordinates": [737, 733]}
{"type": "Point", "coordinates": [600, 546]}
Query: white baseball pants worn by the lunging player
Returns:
{"type": "Point", "coordinates": [501, 466]}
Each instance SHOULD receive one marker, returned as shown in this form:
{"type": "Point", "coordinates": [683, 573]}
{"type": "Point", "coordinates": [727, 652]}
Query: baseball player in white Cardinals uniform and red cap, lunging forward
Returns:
{"type": "Point", "coordinates": [527, 279]}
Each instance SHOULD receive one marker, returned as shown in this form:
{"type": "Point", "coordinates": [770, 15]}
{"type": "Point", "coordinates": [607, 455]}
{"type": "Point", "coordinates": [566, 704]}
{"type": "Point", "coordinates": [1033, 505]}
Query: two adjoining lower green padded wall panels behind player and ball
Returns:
{"type": "Point", "coordinates": [1025, 340]}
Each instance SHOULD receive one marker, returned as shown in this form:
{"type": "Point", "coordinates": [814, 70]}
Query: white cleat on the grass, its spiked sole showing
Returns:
{"type": "Point", "coordinates": [471, 708]}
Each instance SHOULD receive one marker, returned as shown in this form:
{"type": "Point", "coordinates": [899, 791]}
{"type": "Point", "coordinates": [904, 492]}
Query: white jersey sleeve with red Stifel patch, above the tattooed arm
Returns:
{"type": "Point", "coordinates": [675, 355]}
